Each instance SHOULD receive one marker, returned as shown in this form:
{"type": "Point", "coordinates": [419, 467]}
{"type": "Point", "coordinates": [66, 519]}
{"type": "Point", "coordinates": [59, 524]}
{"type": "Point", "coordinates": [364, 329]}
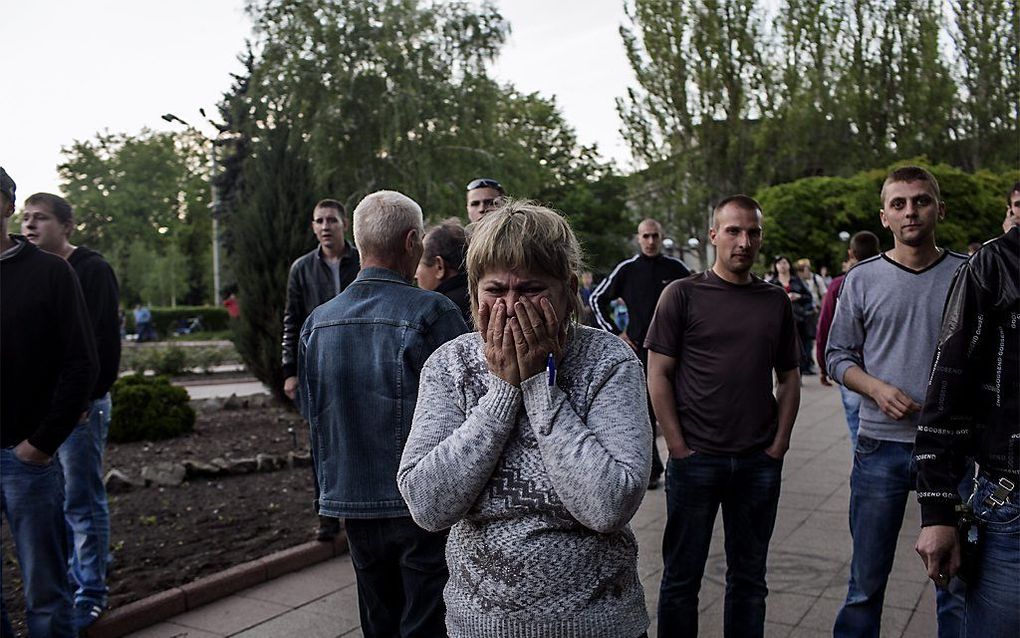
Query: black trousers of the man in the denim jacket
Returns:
{"type": "Point", "coordinates": [401, 572]}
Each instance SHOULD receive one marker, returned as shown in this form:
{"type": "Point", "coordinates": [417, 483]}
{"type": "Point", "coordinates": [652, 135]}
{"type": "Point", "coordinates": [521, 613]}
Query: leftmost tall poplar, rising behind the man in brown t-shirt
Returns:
{"type": "Point", "coordinates": [702, 88]}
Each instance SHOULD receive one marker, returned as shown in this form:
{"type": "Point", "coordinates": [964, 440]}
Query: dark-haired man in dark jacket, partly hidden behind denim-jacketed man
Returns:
{"type": "Point", "coordinates": [317, 278]}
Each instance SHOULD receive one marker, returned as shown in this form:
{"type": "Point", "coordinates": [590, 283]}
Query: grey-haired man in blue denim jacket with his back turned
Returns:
{"type": "Point", "coordinates": [360, 360]}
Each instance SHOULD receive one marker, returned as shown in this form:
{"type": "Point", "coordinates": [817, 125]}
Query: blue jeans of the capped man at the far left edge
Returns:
{"type": "Point", "coordinates": [33, 503]}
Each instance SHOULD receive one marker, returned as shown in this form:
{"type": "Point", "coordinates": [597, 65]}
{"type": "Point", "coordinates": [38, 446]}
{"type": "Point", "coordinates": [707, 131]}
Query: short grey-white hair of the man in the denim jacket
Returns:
{"type": "Point", "coordinates": [381, 222]}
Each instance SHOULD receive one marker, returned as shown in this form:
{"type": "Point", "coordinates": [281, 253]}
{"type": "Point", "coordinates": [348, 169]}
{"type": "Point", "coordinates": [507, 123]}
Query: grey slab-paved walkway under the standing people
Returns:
{"type": "Point", "coordinates": [808, 562]}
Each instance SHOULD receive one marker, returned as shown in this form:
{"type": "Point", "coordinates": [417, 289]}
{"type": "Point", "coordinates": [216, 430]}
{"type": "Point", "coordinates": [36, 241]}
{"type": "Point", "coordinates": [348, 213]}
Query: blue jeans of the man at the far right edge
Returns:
{"type": "Point", "coordinates": [994, 601]}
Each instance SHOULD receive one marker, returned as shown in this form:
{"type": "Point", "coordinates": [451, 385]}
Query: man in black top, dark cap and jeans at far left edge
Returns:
{"type": "Point", "coordinates": [48, 371]}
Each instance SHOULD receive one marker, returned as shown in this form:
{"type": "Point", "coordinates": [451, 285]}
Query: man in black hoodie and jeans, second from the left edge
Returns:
{"type": "Point", "coordinates": [47, 222]}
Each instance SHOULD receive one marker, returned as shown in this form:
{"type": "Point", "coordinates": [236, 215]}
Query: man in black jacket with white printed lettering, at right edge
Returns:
{"type": "Point", "coordinates": [973, 411]}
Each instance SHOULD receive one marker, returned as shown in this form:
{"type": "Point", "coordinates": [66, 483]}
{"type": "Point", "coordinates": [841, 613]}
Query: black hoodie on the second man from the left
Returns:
{"type": "Point", "coordinates": [99, 285]}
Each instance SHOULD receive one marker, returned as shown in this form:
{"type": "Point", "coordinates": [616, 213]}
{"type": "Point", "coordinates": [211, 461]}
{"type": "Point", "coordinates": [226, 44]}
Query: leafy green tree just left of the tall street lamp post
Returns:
{"type": "Point", "coordinates": [142, 202]}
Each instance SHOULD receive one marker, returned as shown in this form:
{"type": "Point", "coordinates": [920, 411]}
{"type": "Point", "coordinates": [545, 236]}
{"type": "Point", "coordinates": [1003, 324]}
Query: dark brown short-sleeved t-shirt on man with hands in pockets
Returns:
{"type": "Point", "coordinates": [727, 340]}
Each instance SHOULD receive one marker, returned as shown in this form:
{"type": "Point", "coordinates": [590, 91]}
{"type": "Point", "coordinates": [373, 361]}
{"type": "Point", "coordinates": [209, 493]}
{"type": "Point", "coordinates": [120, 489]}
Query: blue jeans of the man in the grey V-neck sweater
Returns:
{"type": "Point", "coordinates": [881, 482]}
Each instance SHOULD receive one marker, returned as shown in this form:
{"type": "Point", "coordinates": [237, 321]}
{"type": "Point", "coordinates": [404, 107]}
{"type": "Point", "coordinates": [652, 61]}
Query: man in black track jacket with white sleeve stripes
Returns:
{"type": "Point", "coordinates": [639, 281]}
